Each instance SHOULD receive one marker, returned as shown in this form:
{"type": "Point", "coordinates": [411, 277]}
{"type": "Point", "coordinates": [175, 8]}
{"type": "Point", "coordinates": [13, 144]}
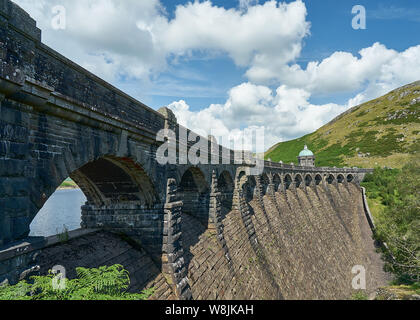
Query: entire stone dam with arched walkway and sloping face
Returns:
{"type": "Point", "coordinates": [190, 231]}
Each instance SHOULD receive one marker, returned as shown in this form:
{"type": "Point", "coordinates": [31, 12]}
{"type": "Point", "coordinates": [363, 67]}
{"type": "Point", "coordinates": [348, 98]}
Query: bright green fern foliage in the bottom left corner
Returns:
{"type": "Point", "coordinates": [104, 283]}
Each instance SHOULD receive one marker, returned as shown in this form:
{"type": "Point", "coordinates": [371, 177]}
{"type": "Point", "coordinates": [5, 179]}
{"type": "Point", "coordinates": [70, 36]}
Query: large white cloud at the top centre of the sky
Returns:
{"type": "Point", "coordinates": [268, 31]}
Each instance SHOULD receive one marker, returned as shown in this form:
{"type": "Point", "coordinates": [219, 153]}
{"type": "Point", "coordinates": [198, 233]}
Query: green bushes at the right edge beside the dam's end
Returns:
{"type": "Point", "coordinates": [399, 223]}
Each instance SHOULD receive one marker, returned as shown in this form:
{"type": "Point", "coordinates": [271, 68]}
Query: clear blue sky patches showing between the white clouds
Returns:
{"type": "Point", "coordinates": [390, 22]}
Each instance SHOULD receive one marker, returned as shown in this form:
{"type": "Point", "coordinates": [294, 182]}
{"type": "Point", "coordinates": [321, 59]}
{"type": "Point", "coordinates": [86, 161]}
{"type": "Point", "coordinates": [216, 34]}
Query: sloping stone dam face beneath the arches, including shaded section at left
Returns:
{"type": "Point", "coordinates": [293, 244]}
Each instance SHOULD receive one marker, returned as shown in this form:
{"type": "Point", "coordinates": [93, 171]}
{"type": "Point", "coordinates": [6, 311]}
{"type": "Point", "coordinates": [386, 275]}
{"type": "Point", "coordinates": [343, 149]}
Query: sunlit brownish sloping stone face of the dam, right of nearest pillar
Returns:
{"type": "Point", "coordinates": [298, 244]}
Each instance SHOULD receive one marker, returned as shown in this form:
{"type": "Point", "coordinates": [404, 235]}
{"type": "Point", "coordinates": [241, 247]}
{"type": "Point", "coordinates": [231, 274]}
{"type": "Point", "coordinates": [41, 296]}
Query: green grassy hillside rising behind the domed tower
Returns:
{"type": "Point", "coordinates": [381, 132]}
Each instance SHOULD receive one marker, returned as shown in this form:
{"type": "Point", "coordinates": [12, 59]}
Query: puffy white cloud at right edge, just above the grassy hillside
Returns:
{"type": "Point", "coordinates": [376, 71]}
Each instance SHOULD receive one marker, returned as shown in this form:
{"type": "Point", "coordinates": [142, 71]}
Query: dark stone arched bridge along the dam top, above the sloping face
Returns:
{"type": "Point", "coordinates": [57, 120]}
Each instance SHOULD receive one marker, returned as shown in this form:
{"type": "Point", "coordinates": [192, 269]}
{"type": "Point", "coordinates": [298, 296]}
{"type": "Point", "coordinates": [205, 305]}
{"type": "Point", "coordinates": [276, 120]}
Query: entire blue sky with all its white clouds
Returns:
{"type": "Point", "coordinates": [224, 66]}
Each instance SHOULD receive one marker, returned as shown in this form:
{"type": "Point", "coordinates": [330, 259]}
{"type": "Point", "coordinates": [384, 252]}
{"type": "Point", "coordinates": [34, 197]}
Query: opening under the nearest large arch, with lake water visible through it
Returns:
{"type": "Point", "coordinates": [106, 182]}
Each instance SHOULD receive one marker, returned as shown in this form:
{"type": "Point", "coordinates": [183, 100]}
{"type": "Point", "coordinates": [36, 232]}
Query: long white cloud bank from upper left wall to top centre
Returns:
{"type": "Point", "coordinates": [136, 38]}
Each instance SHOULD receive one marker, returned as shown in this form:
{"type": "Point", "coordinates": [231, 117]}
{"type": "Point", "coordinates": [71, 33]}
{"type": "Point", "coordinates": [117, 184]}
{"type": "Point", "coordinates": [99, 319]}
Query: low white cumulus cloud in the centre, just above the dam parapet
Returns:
{"type": "Point", "coordinates": [284, 114]}
